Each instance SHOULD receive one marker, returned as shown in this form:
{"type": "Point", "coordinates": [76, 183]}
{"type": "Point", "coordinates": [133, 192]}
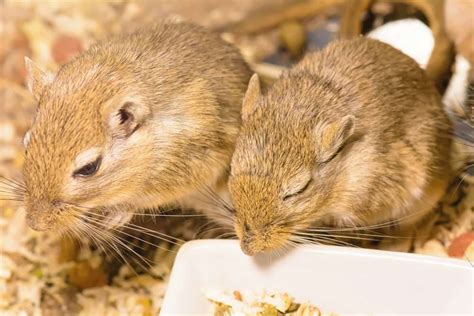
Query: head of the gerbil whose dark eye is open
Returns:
{"type": "Point", "coordinates": [85, 144]}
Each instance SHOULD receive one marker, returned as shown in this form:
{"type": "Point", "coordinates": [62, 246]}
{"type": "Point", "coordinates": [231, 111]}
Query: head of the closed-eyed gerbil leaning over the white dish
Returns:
{"type": "Point", "coordinates": [285, 170]}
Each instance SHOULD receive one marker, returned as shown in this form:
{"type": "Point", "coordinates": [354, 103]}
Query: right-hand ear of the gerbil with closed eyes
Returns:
{"type": "Point", "coordinates": [332, 137]}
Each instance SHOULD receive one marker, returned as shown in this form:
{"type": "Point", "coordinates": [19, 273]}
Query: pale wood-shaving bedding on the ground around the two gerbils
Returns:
{"type": "Point", "coordinates": [43, 274]}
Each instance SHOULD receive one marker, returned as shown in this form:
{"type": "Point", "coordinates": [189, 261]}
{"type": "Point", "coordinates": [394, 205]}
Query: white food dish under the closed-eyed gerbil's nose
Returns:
{"type": "Point", "coordinates": [336, 279]}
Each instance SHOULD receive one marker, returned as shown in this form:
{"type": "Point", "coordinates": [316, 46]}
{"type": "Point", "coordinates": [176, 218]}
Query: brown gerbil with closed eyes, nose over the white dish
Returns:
{"type": "Point", "coordinates": [353, 135]}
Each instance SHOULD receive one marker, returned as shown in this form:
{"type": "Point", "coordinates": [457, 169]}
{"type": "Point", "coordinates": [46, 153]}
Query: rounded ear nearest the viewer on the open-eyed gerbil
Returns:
{"type": "Point", "coordinates": [126, 117]}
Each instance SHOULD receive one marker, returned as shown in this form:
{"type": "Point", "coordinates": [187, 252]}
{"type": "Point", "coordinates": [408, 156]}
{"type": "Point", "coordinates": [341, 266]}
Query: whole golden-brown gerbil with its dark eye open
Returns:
{"type": "Point", "coordinates": [139, 121]}
